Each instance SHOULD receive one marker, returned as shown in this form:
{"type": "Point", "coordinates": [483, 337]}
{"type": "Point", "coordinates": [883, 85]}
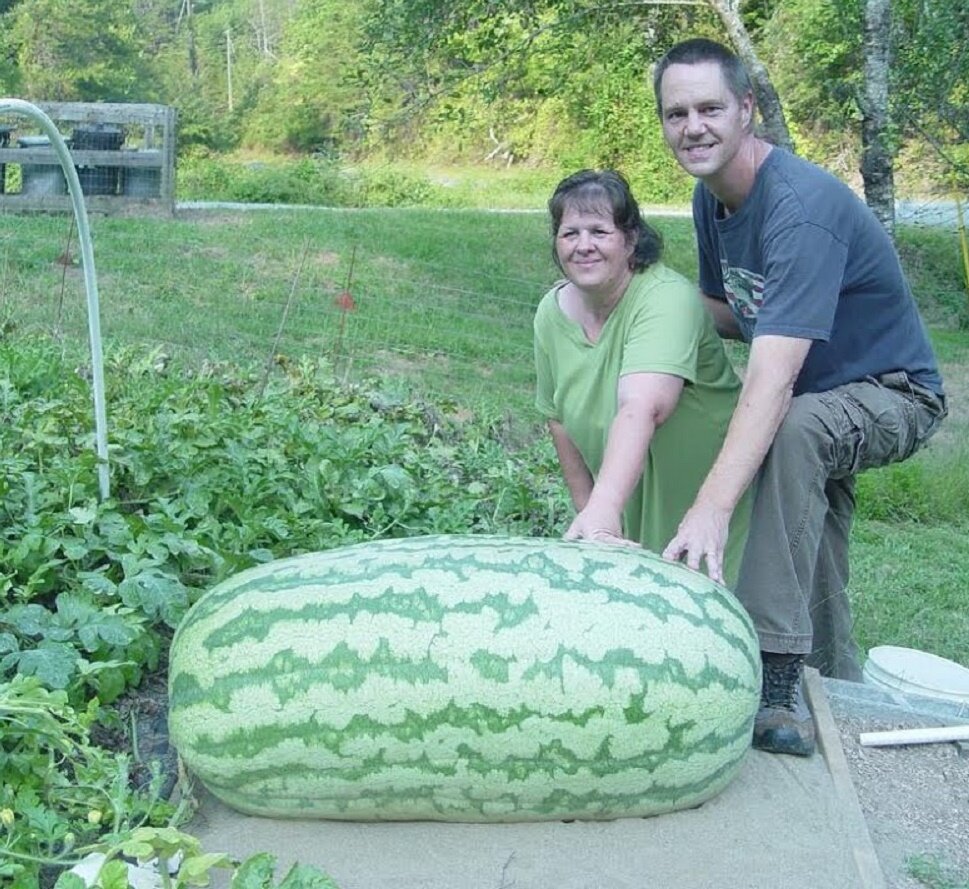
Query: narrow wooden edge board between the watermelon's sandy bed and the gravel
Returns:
{"type": "Point", "coordinates": [829, 740]}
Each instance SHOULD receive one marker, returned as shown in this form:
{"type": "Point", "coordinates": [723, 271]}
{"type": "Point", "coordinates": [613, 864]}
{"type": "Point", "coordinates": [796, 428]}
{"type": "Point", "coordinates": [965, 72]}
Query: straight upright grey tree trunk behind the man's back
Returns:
{"type": "Point", "coordinates": [877, 164]}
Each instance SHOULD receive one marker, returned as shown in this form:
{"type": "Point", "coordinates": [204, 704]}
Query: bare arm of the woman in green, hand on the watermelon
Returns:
{"type": "Point", "coordinates": [645, 402]}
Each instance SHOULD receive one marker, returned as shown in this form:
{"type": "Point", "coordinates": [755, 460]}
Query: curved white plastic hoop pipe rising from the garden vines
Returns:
{"type": "Point", "coordinates": [19, 106]}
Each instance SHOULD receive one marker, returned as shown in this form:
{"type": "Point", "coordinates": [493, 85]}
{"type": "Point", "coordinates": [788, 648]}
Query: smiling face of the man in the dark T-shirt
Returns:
{"type": "Point", "coordinates": [703, 122]}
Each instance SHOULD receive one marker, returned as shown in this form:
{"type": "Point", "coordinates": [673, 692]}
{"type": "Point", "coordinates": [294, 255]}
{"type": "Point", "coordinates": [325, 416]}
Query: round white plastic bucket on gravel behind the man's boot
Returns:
{"type": "Point", "coordinates": [917, 672]}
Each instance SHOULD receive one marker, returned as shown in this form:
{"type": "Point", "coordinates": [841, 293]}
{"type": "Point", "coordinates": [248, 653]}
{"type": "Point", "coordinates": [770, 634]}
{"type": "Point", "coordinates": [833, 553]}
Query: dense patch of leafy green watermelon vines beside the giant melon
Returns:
{"type": "Point", "coordinates": [211, 472]}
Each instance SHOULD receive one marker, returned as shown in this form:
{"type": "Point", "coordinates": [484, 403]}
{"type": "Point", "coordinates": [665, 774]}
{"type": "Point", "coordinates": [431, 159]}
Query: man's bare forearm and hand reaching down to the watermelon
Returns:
{"type": "Point", "coordinates": [772, 368]}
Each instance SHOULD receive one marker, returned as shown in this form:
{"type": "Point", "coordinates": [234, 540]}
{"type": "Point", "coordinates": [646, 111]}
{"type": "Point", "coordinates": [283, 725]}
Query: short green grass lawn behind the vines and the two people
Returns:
{"type": "Point", "coordinates": [442, 303]}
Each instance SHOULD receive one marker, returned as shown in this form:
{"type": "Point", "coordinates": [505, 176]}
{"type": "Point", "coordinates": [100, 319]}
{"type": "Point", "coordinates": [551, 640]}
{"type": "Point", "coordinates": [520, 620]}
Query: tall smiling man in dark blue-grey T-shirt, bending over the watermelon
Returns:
{"type": "Point", "coordinates": [840, 375]}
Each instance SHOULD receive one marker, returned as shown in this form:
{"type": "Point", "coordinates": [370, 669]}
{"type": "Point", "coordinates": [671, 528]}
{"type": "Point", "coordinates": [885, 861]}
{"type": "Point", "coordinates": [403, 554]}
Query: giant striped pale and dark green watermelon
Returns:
{"type": "Point", "coordinates": [465, 678]}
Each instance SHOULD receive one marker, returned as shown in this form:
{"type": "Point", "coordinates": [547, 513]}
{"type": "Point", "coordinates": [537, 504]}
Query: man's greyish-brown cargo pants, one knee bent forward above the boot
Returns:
{"type": "Point", "coordinates": [794, 572]}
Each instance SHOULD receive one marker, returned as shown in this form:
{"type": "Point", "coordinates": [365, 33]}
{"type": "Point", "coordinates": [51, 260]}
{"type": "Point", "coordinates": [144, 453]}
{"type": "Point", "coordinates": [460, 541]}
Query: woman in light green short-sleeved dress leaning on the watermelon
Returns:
{"type": "Point", "coordinates": [632, 377]}
